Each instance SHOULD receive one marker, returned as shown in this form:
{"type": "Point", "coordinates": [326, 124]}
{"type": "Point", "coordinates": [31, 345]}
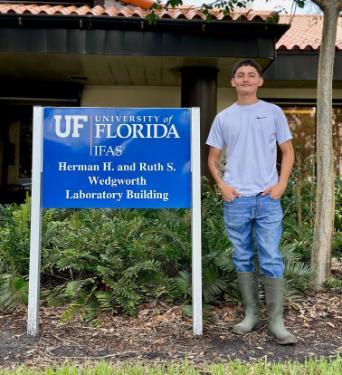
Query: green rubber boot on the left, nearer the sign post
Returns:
{"type": "Point", "coordinates": [248, 283]}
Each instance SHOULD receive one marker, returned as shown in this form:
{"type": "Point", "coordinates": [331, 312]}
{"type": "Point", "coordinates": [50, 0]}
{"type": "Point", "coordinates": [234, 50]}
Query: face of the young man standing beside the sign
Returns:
{"type": "Point", "coordinates": [246, 80]}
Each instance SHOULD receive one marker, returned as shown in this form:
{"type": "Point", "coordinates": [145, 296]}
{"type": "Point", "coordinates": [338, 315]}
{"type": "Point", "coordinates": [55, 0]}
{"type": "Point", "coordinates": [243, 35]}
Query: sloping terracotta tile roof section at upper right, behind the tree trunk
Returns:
{"type": "Point", "coordinates": [305, 33]}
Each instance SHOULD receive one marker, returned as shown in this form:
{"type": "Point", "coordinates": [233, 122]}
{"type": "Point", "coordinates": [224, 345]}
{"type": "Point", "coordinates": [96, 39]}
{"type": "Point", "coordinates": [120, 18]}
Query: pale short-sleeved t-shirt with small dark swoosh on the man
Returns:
{"type": "Point", "coordinates": [249, 134]}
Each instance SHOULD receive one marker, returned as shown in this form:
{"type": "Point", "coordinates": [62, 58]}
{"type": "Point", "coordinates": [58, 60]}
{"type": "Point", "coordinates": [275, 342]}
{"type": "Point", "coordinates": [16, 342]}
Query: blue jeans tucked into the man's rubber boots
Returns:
{"type": "Point", "coordinates": [263, 216]}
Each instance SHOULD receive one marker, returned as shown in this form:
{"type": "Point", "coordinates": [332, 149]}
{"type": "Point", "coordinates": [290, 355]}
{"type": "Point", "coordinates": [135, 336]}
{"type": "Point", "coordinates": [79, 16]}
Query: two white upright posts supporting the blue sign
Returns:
{"type": "Point", "coordinates": [36, 224]}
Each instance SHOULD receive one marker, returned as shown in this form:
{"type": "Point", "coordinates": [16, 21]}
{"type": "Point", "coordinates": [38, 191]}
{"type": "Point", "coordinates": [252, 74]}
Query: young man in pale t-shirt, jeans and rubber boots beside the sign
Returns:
{"type": "Point", "coordinates": [249, 131]}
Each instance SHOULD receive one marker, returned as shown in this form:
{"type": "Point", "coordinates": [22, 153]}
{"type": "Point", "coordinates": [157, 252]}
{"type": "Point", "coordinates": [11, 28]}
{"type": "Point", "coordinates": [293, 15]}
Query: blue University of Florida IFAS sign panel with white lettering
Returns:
{"type": "Point", "coordinates": [116, 158]}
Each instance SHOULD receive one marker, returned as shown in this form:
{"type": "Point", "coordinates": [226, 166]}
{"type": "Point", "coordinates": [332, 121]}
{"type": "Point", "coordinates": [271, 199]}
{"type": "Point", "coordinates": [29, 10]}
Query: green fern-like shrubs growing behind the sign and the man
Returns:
{"type": "Point", "coordinates": [113, 260]}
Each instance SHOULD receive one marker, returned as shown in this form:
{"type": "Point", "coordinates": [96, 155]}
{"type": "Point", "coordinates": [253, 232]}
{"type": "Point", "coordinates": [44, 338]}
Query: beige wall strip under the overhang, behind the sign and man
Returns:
{"type": "Point", "coordinates": [147, 96]}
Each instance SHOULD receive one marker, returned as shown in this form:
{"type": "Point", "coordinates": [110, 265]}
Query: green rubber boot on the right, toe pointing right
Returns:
{"type": "Point", "coordinates": [274, 294]}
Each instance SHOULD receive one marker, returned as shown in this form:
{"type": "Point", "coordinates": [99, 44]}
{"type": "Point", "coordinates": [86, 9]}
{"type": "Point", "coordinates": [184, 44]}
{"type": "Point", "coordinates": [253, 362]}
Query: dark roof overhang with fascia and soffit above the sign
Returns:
{"type": "Point", "coordinates": [127, 50]}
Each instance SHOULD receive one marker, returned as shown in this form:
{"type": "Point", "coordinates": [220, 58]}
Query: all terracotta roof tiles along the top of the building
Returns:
{"type": "Point", "coordinates": [304, 33]}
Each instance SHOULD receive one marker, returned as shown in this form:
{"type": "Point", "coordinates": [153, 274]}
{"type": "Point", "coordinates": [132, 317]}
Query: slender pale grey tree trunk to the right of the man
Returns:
{"type": "Point", "coordinates": [325, 197]}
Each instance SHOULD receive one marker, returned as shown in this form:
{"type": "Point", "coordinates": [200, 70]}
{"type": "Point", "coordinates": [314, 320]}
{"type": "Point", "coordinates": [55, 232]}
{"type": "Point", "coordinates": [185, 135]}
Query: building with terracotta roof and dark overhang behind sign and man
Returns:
{"type": "Point", "coordinates": [105, 53]}
